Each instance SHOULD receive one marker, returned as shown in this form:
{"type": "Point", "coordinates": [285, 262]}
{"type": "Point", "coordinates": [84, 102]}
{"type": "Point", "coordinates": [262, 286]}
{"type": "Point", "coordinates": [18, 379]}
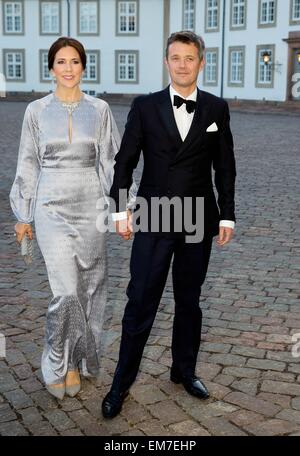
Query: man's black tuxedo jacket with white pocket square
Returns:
{"type": "Point", "coordinates": [173, 167]}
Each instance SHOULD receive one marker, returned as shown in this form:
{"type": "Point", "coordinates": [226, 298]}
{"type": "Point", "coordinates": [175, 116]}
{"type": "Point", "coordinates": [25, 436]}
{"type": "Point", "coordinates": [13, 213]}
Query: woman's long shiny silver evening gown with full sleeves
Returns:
{"type": "Point", "coordinates": [61, 173]}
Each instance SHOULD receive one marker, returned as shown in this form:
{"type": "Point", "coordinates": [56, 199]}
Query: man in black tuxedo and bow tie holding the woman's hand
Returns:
{"type": "Point", "coordinates": [183, 132]}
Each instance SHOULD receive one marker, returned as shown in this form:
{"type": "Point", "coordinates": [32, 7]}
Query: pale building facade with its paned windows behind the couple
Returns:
{"type": "Point", "coordinates": [252, 46]}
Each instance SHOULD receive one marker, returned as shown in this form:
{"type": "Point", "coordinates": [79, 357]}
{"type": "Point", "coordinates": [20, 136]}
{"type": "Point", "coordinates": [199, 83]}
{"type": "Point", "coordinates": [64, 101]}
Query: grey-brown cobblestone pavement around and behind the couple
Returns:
{"type": "Point", "coordinates": [250, 302]}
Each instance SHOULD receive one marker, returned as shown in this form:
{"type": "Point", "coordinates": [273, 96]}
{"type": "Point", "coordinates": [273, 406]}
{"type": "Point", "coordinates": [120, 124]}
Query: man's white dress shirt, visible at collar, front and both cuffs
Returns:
{"type": "Point", "coordinates": [183, 121]}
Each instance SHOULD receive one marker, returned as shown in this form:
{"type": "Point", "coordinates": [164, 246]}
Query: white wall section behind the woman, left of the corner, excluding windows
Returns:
{"type": "Point", "coordinates": [149, 43]}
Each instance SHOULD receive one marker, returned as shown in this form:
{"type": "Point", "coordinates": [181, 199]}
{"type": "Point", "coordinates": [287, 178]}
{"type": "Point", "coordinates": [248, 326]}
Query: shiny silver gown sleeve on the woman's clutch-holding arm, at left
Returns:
{"type": "Point", "coordinates": [23, 191]}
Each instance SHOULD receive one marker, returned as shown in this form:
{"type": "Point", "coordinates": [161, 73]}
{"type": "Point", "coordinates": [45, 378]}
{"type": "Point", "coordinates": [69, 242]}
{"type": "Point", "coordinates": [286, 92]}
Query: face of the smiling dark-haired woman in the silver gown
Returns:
{"type": "Point", "coordinates": [67, 67]}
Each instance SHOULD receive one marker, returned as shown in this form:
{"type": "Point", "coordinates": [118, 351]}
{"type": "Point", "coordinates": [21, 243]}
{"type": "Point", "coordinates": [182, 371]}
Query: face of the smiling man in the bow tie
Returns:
{"type": "Point", "coordinates": [184, 64]}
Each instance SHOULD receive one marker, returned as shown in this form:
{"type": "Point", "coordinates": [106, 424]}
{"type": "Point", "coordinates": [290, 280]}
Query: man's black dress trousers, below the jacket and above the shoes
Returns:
{"type": "Point", "coordinates": [149, 266]}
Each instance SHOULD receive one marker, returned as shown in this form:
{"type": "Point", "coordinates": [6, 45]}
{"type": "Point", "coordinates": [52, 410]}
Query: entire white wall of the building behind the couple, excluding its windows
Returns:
{"type": "Point", "coordinates": [150, 45]}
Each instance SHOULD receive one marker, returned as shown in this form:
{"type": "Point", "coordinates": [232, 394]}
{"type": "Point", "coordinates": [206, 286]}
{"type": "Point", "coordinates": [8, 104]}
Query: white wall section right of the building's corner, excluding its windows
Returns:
{"type": "Point", "coordinates": [250, 38]}
